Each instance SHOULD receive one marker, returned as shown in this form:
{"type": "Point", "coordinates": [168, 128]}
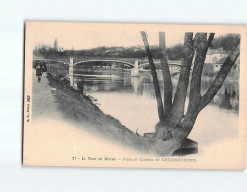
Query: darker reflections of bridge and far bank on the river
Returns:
{"type": "Point", "coordinates": [227, 97]}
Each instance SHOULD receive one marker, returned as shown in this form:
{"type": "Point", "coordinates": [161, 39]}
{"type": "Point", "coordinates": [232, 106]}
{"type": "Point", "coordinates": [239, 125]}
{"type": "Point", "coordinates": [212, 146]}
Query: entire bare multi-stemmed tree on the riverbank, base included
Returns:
{"type": "Point", "coordinates": [170, 133]}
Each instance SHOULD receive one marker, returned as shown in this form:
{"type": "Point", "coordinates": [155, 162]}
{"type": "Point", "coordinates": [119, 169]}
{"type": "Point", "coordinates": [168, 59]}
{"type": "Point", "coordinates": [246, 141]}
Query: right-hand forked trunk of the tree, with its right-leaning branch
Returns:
{"type": "Point", "coordinates": [196, 102]}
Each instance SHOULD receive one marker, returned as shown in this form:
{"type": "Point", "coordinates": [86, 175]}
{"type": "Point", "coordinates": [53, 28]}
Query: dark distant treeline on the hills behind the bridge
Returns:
{"type": "Point", "coordinates": [227, 42]}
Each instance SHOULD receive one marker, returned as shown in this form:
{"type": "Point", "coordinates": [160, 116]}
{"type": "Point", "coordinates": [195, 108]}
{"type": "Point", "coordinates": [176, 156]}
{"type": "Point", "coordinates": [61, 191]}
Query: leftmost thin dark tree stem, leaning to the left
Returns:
{"type": "Point", "coordinates": [155, 78]}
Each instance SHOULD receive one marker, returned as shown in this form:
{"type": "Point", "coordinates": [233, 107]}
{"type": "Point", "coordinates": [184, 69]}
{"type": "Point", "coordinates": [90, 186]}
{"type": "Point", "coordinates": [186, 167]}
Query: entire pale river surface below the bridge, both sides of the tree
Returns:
{"type": "Point", "coordinates": [132, 101]}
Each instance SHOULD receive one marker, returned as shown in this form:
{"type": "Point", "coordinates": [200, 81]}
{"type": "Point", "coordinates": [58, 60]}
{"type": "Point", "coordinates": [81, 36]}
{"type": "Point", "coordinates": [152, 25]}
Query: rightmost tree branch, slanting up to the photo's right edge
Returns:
{"type": "Point", "coordinates": [220, 78]}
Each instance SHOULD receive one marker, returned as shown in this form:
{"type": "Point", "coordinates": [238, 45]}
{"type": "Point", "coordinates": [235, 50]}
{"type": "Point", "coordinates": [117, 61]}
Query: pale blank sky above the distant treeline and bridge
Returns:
{"type": "Point", "coordinates": [91, 39]}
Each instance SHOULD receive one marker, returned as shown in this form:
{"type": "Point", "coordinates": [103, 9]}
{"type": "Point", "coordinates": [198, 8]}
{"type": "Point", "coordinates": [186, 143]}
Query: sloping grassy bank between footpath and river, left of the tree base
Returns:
{"type": "Point", "coordinates": [82, 109]}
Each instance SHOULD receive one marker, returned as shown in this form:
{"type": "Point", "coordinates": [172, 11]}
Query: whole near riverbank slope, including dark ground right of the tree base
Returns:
{"type": "Point", "coordinates": [81, 108]}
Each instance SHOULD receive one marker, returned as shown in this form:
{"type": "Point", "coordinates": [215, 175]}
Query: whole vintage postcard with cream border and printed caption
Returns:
{"type": "Point", "coordinates": [135, 95]}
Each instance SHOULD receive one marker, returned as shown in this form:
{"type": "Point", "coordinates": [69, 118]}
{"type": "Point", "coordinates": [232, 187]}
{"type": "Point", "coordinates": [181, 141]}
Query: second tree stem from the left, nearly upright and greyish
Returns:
{"type": "Point", "coordinates": [166, 75]}
